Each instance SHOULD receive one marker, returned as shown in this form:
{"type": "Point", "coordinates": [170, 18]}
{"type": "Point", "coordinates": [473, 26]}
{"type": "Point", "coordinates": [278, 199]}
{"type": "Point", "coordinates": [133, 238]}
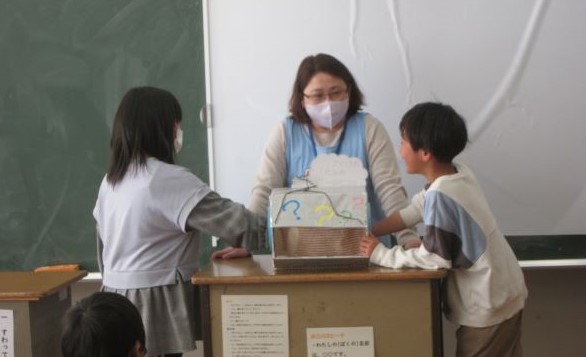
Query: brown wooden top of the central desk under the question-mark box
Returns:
{"type": "Point", "coordinates": [259, 270]}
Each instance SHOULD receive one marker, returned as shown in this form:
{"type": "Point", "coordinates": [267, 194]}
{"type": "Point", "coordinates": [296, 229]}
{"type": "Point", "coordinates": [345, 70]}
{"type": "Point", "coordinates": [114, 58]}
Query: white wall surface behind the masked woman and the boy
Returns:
{"type": "Point", "coordinates": [515, 70]}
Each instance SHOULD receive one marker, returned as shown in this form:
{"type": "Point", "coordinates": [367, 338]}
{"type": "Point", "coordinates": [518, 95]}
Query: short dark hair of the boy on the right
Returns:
{"type": "Point", "coordinates": [435, 127]}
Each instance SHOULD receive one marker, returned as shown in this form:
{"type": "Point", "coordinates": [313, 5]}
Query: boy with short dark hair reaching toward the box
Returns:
{"type": "Point", "coordinates": [485, 292]}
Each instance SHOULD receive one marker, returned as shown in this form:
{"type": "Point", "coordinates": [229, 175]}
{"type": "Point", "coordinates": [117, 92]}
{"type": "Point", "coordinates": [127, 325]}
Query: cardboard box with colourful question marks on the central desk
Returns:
{"type": "Point", "coordinates": [318, 228]}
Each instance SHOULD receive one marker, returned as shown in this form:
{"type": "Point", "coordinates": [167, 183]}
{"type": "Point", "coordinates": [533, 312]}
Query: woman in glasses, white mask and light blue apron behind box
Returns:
{"type": "Point", "coordinates": [326, 117]}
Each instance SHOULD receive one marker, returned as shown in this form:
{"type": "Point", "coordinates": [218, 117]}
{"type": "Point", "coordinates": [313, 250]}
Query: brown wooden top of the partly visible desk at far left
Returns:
{"type": "Point", "coordinates": [35, 286]}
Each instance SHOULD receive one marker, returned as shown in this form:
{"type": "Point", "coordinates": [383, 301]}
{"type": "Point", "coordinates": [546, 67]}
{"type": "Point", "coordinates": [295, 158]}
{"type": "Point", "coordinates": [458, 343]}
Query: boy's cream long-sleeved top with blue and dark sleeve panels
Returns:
{"type": "Point", "coordinates": [485, 284]}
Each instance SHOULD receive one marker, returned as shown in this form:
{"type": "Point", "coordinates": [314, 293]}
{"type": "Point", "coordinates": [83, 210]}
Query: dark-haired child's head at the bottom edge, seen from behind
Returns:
{"type": "Point", "coordinates": [103, 325]}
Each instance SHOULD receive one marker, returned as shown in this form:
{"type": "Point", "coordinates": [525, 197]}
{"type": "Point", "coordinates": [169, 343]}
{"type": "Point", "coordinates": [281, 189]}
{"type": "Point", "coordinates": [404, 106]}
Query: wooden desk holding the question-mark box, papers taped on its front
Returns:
{"type": "Point", "coordinates": [402, 306]}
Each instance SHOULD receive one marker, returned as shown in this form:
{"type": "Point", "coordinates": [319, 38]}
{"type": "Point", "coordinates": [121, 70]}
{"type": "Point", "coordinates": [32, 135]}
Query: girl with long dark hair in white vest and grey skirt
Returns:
{"type": "Point", "coordinates": [150, 213]}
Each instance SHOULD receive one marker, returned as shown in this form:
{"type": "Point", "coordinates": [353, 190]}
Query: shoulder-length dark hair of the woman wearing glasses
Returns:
{"type": "Point", "coordinates": [309, 67]}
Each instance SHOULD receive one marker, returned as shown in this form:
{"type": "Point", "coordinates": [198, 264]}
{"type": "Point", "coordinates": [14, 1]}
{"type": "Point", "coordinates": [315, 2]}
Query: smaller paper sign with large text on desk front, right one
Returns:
{"type": "Point", "coordinates": [340, 342]}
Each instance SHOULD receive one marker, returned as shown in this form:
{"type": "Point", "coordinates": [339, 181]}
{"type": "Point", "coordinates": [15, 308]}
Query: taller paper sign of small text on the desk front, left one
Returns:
{"type": "Point", "coordinates": [255, 325]}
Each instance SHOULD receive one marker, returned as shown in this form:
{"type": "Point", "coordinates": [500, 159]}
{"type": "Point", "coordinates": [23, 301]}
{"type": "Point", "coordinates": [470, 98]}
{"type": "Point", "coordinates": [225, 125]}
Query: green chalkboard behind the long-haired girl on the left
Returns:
{"type": "Point", "coordinates": [64, 66]}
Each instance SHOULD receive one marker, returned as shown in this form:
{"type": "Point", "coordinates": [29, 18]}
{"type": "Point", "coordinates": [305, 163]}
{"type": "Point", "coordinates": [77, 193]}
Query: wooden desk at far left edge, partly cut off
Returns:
{"type": "Point", "coordinates": [38, 302]}
